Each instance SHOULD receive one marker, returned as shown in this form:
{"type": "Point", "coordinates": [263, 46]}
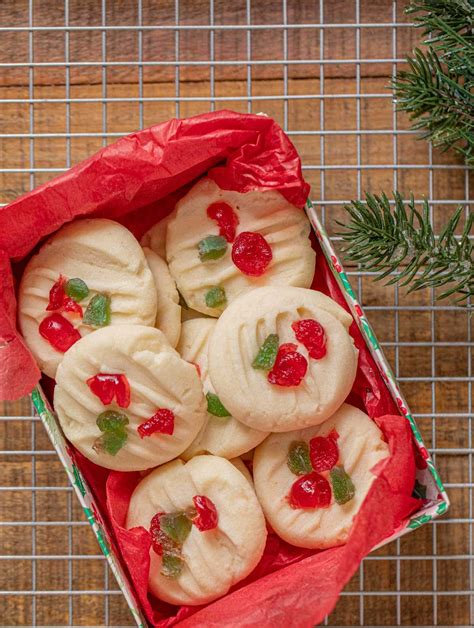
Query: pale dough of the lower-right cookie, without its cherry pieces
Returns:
{"type": "Point", "coordinates": [361, 447]}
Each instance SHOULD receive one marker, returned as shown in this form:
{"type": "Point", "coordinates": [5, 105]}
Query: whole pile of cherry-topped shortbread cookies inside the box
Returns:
{"type": "Point", "coordinates": [198, 348]}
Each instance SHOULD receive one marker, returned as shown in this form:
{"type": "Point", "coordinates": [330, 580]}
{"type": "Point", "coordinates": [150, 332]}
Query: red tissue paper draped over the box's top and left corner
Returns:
{"type": "Point", "coordinates": [136, 180]}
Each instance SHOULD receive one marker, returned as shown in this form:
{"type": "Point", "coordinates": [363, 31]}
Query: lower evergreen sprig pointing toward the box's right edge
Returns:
{"type": "Point", "coordinates": [400, 240]}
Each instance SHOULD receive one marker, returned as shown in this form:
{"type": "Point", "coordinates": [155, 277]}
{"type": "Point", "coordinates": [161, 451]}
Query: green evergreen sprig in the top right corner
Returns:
{"type": "Point", "coordinates": [437, 90]}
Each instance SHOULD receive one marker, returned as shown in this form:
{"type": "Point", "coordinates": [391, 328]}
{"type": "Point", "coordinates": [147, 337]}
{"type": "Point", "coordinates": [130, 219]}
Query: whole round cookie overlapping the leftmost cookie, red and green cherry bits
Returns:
{"type": "Point", "coordinates": [127, 400]}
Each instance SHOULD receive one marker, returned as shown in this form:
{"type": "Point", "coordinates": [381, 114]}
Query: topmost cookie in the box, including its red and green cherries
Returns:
{"type": "Point", "coordinates": [221, 243]}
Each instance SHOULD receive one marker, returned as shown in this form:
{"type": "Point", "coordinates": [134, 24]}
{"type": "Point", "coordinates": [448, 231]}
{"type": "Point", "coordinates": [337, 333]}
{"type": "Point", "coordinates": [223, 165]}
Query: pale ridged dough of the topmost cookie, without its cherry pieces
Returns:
{"type": "Point", "coordinates": [285, 228]}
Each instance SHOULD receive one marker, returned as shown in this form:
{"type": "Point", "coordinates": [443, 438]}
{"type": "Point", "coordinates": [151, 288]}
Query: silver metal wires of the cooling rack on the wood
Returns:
{"type": "Point", "coordinates": [34, 595]}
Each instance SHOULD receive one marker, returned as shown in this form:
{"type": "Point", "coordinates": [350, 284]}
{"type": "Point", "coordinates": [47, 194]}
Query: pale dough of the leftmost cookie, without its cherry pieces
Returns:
{"type": "Point", "coordinates": [107, 257]}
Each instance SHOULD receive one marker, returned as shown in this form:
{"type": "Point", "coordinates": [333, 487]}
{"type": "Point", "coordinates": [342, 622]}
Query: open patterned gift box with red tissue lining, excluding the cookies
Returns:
{"type": "Point", "coordinates": [137, 181]}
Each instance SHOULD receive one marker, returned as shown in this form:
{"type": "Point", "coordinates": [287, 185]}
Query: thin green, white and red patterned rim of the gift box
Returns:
{"type": "Point", "coordinates": [428, 479]}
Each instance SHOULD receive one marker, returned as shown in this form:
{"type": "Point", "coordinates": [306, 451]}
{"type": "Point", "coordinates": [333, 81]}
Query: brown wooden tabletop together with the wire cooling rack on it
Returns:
{"type": "Point", "coordinates": [75, 75]}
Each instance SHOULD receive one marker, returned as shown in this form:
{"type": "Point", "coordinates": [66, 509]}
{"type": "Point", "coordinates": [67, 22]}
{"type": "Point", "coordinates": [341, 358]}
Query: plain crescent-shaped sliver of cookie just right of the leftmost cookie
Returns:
{"type": "Point", "coordinates": [168, 315]}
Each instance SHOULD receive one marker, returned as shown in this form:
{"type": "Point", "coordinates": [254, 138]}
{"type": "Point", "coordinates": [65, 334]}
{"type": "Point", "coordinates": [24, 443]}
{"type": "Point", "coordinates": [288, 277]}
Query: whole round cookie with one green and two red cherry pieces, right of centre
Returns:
{"type": "Point", "coordinates": [282, 358]}
